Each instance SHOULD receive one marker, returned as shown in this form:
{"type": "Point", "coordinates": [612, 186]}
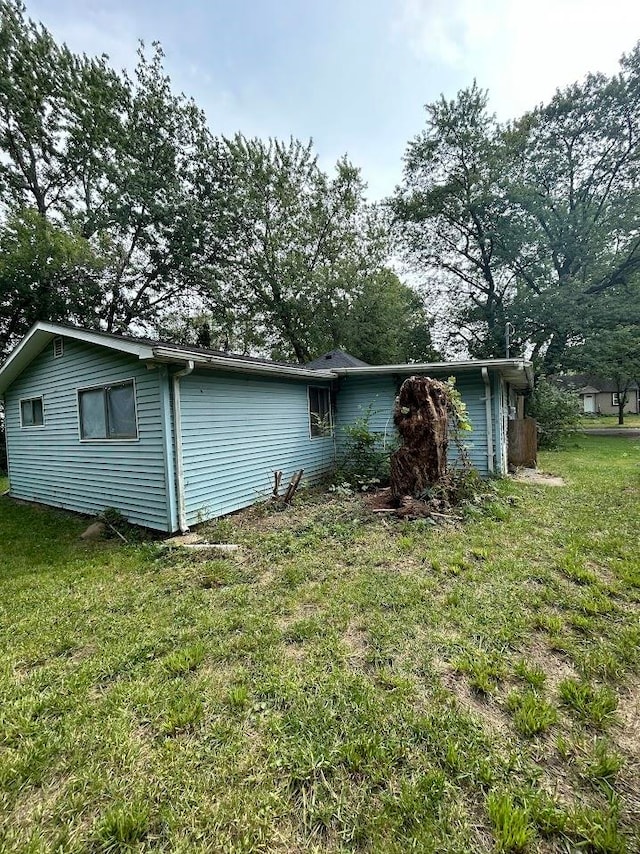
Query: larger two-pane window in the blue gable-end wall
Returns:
{"type": "Point", "coordinates": [108, 412]}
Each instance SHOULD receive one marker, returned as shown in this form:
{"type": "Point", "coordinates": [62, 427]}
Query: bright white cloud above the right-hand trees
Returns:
{"type": "Point", "coordinates": [520, 51]}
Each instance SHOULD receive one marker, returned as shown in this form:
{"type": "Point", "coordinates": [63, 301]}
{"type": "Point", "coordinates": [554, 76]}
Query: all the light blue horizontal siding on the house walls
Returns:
{"type": "Point", "coordinates": [237, 429]}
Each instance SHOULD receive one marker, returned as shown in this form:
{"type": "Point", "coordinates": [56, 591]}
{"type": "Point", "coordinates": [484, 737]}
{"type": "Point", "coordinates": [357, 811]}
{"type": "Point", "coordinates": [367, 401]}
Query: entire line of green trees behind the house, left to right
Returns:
{"type": "Point", "coordinates": [121, 209]}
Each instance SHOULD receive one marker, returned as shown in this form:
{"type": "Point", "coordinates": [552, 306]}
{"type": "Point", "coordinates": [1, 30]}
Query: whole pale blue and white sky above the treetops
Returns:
{"type": "Point", "coordinates": [352, 74]}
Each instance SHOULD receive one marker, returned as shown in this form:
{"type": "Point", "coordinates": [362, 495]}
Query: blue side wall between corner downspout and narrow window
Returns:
{"type": "Point", "coordinates": [236, 431]}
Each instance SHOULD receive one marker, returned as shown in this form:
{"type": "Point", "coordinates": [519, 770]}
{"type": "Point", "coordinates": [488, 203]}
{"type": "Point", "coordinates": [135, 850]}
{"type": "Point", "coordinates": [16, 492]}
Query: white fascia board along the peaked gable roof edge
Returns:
{"type": "Point", "coordinates": [42, 333]}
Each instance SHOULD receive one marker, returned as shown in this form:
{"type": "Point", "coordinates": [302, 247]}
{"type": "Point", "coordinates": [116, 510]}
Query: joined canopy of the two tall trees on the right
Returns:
{"type": "Point", "coordinates": [536, 222]}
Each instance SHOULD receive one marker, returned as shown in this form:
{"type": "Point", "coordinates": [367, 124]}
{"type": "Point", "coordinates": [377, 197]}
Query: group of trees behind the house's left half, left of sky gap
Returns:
{"type": "Point", "coordinates": [122, 210]}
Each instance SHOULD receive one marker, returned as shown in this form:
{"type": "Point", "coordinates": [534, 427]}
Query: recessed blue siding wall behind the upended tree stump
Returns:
{"type": "Point", "coordinates": [356, 394]}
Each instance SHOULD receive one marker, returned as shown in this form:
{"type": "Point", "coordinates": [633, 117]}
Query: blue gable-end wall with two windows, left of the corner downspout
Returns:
{"type": "Point", "coordinates": [51, 465]}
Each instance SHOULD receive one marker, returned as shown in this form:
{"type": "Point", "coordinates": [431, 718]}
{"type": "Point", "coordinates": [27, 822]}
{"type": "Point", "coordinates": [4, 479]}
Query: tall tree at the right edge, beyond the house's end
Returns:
{"type": "Point", "coordinates": [574, 181]}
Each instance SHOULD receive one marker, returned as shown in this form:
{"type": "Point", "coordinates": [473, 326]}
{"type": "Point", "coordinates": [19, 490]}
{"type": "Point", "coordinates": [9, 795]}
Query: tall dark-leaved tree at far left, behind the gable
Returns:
{"type": "Point", "coordinates": [115, 160]}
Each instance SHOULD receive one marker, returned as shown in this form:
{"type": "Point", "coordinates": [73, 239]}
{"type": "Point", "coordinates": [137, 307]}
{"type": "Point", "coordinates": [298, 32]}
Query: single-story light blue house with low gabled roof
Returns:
{"type": "Point", "coordinates": [174, 435]}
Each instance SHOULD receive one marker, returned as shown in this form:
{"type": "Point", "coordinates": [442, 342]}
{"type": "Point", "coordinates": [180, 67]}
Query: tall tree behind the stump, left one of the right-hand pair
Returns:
{"type": "Point", "coordinates": [451, 213]}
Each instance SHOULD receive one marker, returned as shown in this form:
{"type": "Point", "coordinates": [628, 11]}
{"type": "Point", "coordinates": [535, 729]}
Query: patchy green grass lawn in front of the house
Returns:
{"type": "Point", "coordinates": [344, 683]}
